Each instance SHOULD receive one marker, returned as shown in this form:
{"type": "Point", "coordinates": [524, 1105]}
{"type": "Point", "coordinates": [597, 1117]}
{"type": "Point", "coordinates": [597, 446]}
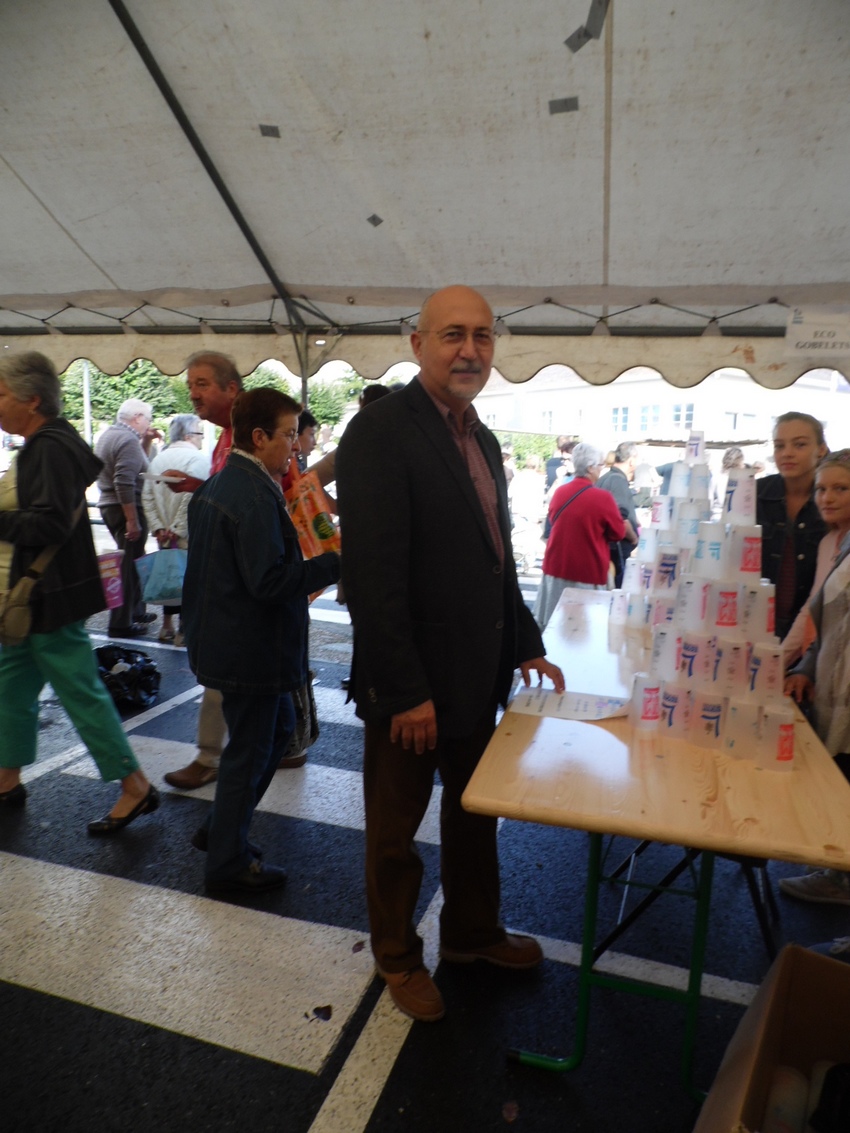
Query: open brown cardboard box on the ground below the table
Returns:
{"type": "Point", "coordinates": [798, 1017]}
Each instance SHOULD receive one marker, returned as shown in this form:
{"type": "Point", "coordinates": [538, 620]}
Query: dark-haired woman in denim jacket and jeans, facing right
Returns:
{"type": "Point", "coordinates": [245, 619]}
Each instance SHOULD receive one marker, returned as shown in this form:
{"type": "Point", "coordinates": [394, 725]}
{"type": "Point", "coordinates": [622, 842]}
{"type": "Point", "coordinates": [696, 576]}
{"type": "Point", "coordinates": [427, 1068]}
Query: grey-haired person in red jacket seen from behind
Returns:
{"type": "Point", "coordinates": [583, 522]}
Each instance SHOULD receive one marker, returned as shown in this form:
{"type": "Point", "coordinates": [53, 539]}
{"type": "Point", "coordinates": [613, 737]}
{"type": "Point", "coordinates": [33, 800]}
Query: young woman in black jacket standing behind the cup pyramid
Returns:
{"type": "Point", "coordinates": [792, 525]}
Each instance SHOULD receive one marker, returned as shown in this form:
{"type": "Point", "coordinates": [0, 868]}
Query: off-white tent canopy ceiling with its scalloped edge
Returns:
{"type": "Point", "coordinates": [707, 167]}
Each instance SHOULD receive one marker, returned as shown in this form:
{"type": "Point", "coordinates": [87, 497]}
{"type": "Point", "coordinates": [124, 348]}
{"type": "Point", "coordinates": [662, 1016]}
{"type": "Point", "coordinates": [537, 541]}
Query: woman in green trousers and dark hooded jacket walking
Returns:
{"type": "Point", "coordinates": [44, 504]}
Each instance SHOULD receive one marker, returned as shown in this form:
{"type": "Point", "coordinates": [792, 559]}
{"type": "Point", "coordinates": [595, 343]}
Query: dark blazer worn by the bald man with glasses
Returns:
{"type": "Point", "coordinates": [437, 615]}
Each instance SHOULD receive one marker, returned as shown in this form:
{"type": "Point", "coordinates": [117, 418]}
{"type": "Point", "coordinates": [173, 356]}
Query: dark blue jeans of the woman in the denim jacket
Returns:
{"type": "Point", "coordinates": [259, 730]}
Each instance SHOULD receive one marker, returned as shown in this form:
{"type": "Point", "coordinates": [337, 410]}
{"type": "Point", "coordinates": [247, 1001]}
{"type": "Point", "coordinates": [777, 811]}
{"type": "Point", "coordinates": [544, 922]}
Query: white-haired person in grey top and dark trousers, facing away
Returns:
{"type": "Point", "coordinates": [121, 504]}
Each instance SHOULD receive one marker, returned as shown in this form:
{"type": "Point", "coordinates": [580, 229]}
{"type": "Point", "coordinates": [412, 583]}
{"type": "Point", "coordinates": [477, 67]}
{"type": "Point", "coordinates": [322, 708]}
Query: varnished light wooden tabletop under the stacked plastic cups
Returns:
{"type": "Point", "coordinates": [609, 779]}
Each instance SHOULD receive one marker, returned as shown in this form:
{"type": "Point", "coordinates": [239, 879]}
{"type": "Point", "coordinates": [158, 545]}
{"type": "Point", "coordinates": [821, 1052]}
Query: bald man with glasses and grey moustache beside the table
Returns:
{"type": "Point", "coordinates": [439, 629]}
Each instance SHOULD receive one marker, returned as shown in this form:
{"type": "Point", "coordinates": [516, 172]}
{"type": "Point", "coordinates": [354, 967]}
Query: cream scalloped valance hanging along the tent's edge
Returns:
{"type": "Point", "coordinates": [599, 361]}
